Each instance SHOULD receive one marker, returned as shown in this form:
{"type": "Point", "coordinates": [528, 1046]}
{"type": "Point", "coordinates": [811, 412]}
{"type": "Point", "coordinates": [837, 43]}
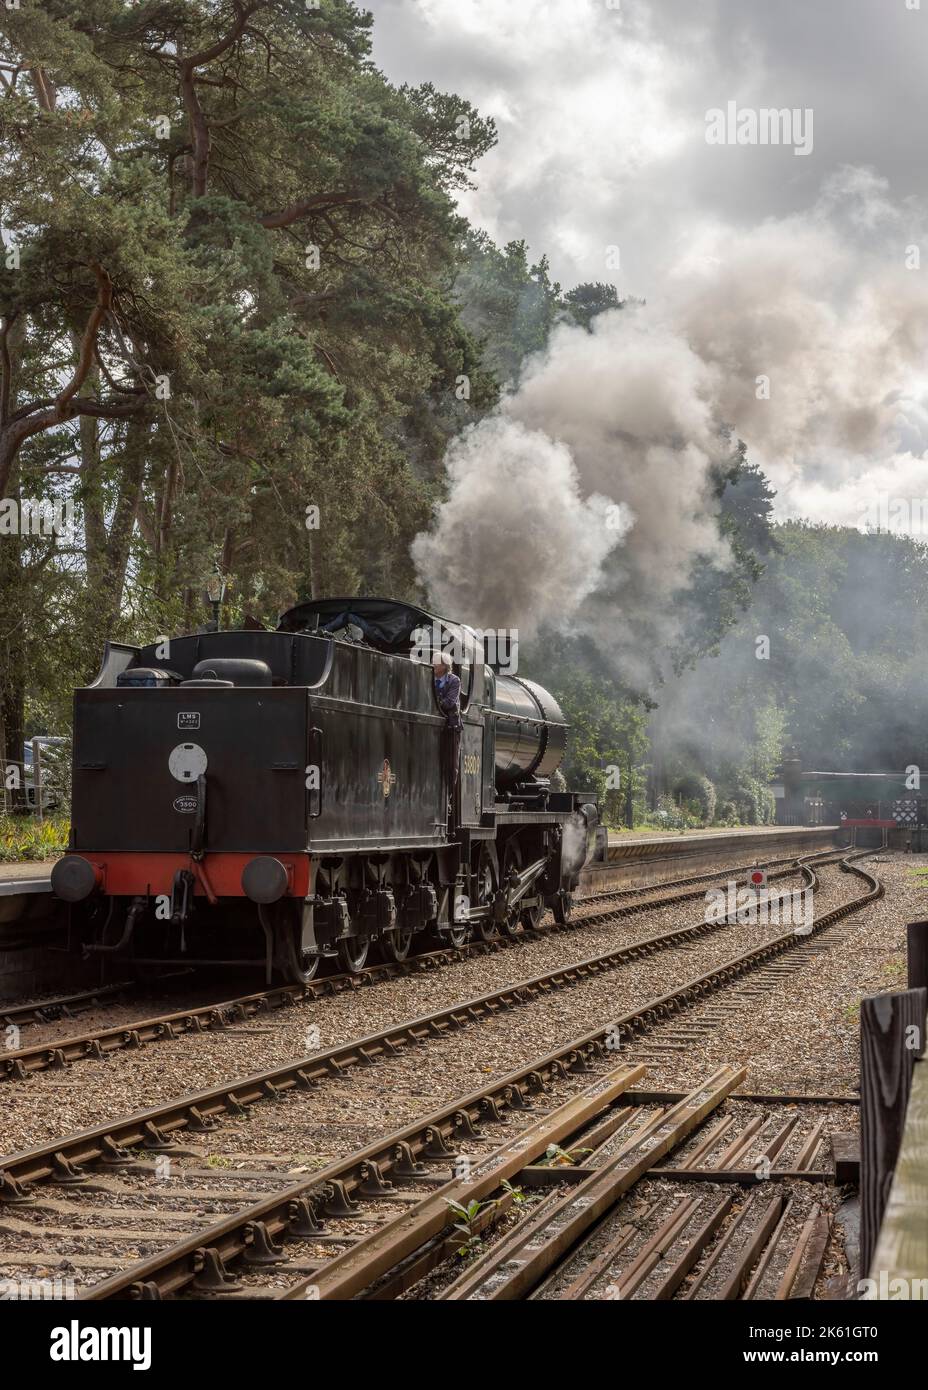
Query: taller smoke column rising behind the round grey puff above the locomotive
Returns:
{"type": "Point", "coordinates": [634, 405]}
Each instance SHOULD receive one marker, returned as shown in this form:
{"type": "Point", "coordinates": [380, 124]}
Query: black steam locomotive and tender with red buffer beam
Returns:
{"type": "Point", "coordinates": [288, 796]}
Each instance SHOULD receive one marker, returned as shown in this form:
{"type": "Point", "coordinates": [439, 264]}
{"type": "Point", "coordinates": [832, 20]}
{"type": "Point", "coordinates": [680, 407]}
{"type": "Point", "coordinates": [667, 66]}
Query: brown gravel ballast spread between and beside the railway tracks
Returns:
{"type": "Point", "coordinates": [813, 1053]}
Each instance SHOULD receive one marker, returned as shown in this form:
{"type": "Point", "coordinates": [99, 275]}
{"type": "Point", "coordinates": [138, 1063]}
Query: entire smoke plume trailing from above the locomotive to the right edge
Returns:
{"type": "Point", "coordinates": [805, 336]}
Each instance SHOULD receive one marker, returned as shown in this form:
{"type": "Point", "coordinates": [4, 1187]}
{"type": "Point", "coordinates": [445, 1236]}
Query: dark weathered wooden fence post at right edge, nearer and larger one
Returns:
{"type": "Point", "coordinates": [893, 1035]}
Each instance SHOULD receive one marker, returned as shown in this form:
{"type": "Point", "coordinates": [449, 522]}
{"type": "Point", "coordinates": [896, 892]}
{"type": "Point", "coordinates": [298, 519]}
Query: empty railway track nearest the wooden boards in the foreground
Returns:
{"type": "Point", "coordinates": [97, 1166]}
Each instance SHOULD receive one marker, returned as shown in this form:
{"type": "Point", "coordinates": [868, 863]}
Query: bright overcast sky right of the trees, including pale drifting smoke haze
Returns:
{"type": "Point", "coordinates": [602, 144]}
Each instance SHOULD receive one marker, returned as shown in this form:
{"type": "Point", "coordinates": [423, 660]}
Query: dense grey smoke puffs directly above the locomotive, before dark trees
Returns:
{"type": "Point", "coordinates": [593, 479]}
